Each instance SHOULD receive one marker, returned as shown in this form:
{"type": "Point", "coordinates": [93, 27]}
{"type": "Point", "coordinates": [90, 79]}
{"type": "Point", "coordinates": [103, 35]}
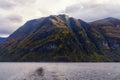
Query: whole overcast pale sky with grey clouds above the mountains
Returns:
{"type": "Point", "coordinates": [14, 13]}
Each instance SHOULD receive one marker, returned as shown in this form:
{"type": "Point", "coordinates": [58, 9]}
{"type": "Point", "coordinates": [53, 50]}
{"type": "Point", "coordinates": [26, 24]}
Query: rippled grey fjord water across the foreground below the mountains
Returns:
{"type": "Point", "coordinates": [59, 71]}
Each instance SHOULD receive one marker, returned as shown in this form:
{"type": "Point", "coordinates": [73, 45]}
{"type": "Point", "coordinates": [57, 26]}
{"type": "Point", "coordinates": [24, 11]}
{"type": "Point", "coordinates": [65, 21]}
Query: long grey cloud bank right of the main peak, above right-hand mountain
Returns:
{"type": "Point", "coordinates": [93, 11]}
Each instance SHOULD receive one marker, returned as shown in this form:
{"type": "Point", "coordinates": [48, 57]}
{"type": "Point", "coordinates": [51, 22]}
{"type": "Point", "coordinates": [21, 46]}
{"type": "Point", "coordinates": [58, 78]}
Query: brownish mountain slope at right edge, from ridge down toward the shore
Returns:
{"type": "Point", "coordinates": [110, 29]}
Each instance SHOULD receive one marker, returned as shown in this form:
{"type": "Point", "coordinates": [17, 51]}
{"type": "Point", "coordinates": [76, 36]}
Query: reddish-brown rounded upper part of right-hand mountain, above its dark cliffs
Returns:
{"type": "Point", "coordinates": [109, 26]}
